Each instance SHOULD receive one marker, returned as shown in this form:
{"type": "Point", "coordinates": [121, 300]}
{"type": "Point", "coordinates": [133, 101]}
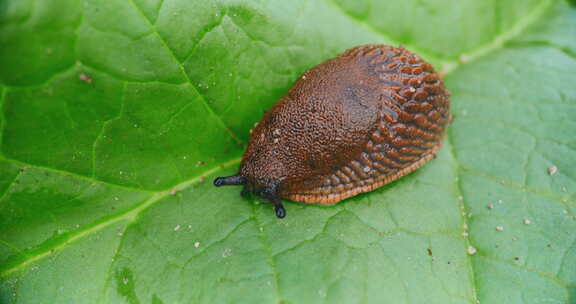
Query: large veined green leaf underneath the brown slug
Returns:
{"type": "Point", "coordinates": [117, 114]}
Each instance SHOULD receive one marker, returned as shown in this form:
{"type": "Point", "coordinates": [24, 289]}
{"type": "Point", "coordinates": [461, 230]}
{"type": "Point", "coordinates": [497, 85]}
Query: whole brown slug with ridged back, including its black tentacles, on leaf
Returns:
{"type": "Point", "coordinates": [349, 125]}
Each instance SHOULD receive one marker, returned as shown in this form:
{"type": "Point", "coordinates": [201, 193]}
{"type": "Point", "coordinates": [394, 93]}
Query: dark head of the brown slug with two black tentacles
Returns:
{"type": "Point", "coordinates": [266, 189]}
